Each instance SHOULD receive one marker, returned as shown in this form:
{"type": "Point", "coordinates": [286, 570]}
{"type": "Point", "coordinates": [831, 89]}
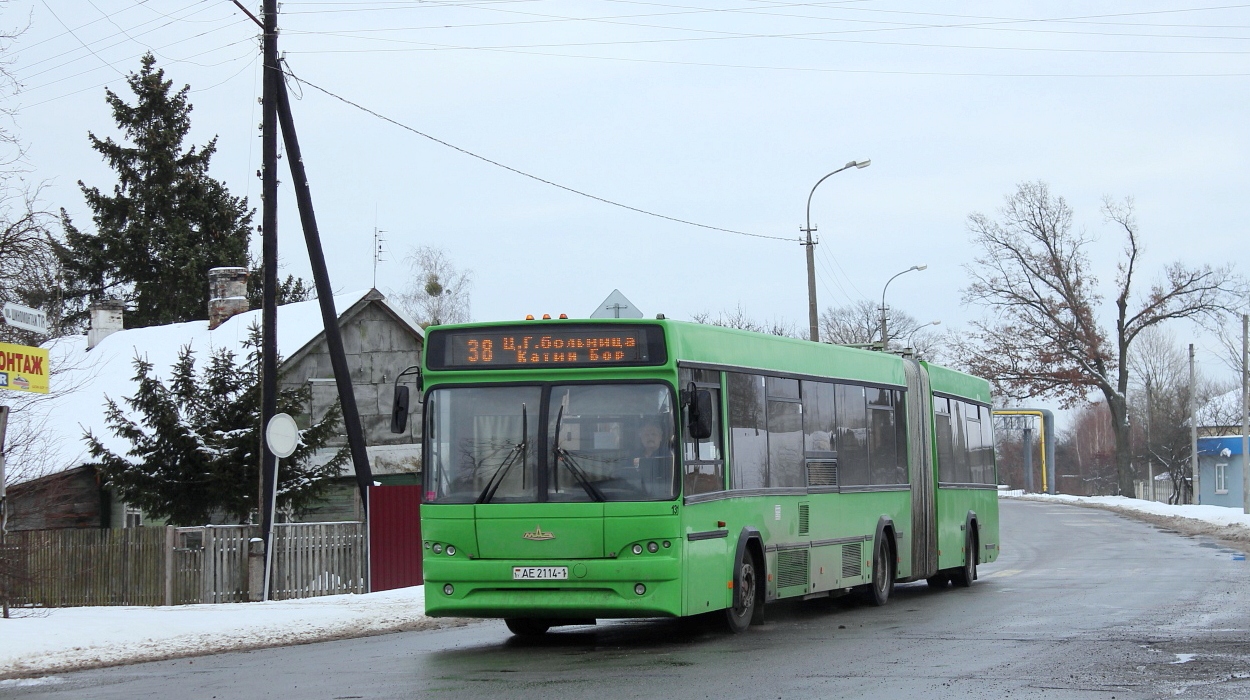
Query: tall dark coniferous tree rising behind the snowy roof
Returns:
{"type": "Point", "coordinates": [166, 223]}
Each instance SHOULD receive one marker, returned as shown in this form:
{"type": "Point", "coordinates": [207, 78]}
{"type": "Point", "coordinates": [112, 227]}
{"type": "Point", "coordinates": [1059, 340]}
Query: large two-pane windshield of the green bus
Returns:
{"type": "Point", "coordinates": [603, 443]}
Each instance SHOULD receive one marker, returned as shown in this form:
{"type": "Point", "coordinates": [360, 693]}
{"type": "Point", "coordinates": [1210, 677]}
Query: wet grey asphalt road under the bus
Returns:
{"type": "Point", "coordinates": [1082, 604]}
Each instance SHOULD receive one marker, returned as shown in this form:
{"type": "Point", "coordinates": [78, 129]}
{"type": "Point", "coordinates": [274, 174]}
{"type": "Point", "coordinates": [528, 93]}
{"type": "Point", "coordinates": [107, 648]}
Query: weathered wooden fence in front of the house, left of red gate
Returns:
{"type": "Point", "coordinates": [178, 566]}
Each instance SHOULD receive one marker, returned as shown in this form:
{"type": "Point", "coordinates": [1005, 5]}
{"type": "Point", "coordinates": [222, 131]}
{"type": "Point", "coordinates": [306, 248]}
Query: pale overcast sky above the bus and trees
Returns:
{"type": "Point", "coordinates": [718, 112]}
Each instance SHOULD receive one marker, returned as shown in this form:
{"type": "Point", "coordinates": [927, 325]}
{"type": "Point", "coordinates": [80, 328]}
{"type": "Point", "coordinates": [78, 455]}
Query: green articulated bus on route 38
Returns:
{"type": "Point", "coordinates": [578, 471]}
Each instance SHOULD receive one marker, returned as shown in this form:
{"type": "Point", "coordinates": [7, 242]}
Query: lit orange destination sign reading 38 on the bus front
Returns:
{"type": "Point", "coordinates": [543, 346]}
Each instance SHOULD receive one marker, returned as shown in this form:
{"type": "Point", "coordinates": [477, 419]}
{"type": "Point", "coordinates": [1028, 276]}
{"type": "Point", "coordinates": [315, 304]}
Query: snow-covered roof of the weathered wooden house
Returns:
{"type": "Point", "coordinates": [82, 379]}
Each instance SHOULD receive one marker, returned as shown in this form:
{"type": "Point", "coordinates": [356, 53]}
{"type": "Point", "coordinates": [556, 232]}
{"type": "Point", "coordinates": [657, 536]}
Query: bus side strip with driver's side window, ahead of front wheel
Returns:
{"type": "Point", "coordinates": [709, 552]}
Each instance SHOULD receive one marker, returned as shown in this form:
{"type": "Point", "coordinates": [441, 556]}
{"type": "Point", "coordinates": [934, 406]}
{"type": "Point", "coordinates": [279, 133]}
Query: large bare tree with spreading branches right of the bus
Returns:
{"type": "Point", "coordinates": [1044, 337]}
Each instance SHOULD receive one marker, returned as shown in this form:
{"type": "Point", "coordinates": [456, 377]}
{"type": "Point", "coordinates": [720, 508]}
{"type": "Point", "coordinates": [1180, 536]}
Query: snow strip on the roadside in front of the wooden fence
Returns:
{"type": "Point", "coordinates": [59, 639]}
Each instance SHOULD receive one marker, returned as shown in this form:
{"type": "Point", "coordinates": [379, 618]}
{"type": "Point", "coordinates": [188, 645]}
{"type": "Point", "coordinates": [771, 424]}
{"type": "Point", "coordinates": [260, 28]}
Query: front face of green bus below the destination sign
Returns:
{"type": "Point", "coordinates": [552, 502]}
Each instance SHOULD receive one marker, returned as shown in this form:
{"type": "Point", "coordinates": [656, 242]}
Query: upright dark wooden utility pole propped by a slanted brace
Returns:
{"type": "Point", "coordinates": [269, 263]}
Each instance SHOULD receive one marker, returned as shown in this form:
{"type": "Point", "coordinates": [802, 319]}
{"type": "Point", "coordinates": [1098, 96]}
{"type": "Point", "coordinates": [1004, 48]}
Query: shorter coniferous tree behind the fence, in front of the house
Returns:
{"type": "Point", "coordinates": [194, 447]}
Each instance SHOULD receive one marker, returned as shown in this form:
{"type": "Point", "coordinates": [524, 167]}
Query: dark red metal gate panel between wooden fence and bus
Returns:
{"type": "Point", "coordinates": [394, 537]}
